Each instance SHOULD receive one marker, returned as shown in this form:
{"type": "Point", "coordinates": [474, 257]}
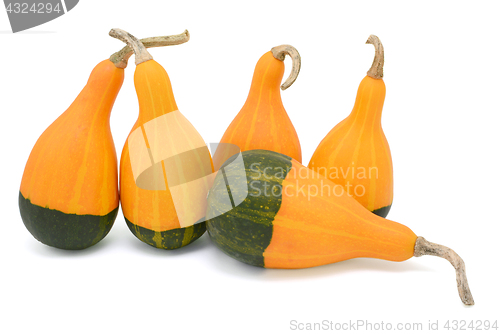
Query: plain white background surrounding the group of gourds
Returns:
{"type": "Point", "coordinates": [441, 117]}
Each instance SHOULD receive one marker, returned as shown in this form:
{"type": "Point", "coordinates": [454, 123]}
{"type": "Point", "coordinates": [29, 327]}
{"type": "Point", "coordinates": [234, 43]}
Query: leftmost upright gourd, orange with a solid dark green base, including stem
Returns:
{"type": "Point", "coordinates": [69, 190]}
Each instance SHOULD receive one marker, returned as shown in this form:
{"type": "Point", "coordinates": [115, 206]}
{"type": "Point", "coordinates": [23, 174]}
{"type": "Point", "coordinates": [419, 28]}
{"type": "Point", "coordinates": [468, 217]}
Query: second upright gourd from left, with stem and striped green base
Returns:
{"type": "Point", "coordinates": [164, 163]}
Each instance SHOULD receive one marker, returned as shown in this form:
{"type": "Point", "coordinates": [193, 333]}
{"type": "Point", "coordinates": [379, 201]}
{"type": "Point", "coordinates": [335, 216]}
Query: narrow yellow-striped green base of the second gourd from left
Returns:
{"type": "Point", "coordinates": [171, 239]}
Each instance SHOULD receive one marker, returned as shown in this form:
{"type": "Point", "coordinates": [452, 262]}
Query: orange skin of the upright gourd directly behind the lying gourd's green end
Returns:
{"type": "Point", "coordinates": [263, 122]}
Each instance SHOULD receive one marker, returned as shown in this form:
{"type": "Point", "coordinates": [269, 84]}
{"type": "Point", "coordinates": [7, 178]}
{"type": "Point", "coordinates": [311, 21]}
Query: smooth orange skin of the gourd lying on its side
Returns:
{"type": "Point", "coordinates": [319, 224]}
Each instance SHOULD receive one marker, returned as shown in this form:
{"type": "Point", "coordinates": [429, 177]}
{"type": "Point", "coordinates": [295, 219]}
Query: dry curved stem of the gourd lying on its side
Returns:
{"type": "Point", "coordinates": [424, 247]}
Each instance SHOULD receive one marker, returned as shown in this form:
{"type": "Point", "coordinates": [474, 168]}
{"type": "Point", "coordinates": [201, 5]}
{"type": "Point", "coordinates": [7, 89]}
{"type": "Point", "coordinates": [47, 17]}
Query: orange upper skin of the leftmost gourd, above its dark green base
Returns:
{"type": "Point", "coordinates": [73, 166]}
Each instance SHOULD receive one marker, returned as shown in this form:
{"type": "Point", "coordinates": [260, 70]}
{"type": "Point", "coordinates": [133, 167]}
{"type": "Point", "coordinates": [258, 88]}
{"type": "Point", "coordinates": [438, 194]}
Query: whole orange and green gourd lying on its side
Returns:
{"type": "Point", "coordinates": [288, 216]}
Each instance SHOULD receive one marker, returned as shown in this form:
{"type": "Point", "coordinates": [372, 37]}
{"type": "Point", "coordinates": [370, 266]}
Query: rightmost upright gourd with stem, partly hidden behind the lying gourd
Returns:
{"type": "Point", "coordinates": [355, 153]}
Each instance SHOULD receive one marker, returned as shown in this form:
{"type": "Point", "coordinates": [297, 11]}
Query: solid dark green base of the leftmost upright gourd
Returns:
{"type": "Point", "coordinates": [63, 230]}
